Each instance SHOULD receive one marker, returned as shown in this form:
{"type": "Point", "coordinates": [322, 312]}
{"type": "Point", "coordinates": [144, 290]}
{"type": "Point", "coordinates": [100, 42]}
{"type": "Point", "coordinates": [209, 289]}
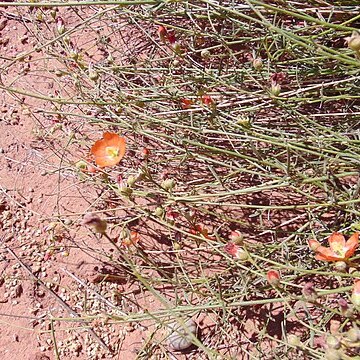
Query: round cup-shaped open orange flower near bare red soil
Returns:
{"type": "Point", "coordinates": [109, 150]}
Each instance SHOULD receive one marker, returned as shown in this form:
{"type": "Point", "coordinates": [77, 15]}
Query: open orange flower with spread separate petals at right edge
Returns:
{"type": "Point", "coordinates": [339, 250]}
